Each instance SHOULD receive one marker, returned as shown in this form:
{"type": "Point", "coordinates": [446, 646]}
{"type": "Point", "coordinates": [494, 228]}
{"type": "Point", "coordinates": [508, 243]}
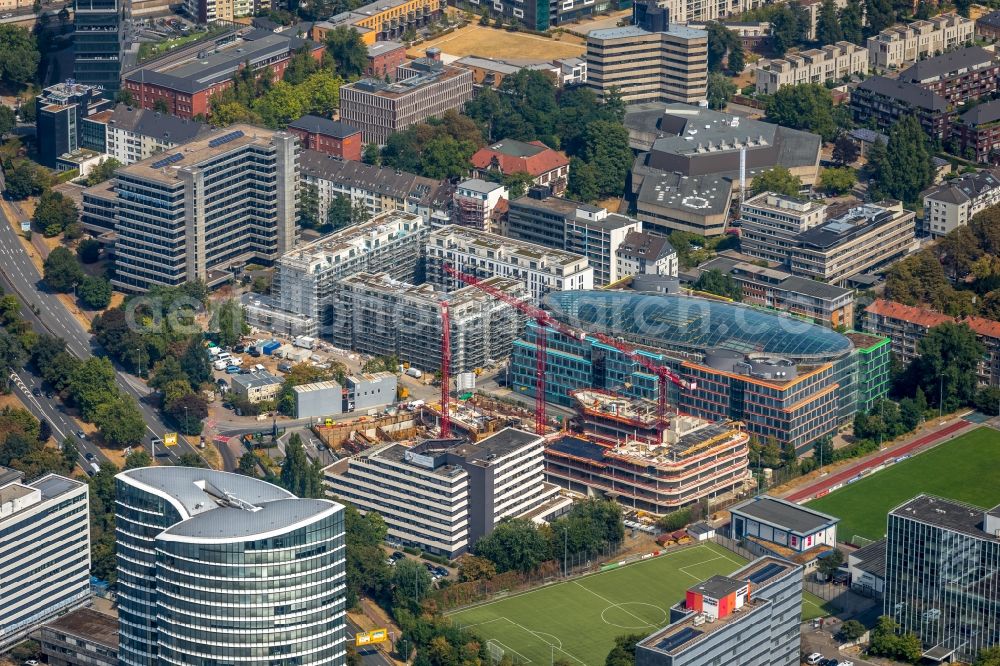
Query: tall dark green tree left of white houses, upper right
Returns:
{"type": "Point", "coordinates": [903, 170]}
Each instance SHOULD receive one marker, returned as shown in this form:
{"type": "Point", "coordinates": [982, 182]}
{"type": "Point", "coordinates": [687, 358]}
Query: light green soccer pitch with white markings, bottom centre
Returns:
{"type": "Point", "coordinates": [578, 620]}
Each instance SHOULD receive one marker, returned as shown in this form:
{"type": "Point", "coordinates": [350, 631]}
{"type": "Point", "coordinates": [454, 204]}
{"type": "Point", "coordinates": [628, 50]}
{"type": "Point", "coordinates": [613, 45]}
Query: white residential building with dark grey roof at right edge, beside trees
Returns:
{"type": "Point", "coordinates": [953, 203]}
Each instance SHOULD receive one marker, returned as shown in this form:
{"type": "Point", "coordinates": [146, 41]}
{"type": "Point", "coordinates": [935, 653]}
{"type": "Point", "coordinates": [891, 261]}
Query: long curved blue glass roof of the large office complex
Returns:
{"type": "Point", "coordinates": [694, 324]}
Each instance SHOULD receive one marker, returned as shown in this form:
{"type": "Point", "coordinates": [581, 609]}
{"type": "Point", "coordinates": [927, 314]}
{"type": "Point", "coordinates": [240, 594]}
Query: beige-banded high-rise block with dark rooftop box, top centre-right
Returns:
{"type": "Point", "coordinates": [652, 60]}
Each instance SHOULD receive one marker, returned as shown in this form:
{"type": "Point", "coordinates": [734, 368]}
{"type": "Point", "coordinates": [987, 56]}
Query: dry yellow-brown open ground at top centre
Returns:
{"type": "Point", "coordinates": [494, 43]}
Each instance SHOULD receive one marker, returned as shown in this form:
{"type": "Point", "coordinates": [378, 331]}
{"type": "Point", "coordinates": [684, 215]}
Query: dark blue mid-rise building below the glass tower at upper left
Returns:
{"type": "Point", "coordinates": [60, 112]}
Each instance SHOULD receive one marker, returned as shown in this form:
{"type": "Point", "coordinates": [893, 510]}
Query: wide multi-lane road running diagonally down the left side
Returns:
{"type": "Point", "coordinates": [49, 314]}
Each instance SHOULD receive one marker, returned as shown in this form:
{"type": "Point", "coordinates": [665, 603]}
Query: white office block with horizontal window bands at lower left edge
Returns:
{"type": "Point", "coordinates": [45, 551]}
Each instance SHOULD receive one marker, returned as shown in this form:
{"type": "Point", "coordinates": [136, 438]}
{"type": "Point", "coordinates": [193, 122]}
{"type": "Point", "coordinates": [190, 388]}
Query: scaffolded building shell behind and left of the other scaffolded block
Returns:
{"type": "Point", "coordinates": [307, 277]}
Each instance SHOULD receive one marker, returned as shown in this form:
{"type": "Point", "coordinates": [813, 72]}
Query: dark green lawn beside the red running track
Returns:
{"type": "Point", "coordinates": [966, 469]}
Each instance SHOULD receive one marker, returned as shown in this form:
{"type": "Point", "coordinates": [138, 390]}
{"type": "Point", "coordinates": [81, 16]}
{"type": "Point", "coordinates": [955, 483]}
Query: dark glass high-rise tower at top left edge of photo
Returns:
{"type": "Point", "coordinates": [99, 43]}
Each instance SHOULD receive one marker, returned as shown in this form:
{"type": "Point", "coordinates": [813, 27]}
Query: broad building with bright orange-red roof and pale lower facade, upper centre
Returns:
{"type": "Point", "coordinates": [507, 157]}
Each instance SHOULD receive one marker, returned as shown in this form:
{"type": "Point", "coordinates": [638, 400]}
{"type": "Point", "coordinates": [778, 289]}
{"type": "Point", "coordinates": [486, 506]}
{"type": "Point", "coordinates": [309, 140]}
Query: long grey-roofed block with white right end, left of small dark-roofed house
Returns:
{"type": "Point", "coordinates": [562, 224]}
